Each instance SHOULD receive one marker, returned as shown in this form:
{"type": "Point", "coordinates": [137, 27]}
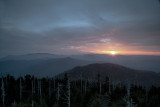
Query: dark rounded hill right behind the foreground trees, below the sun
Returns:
{"type": "Point", "coordinates": [116, 73]}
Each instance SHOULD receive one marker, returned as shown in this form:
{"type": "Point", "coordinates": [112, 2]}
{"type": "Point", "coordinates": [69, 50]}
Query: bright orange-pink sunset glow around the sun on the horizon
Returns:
{"type": "Point", "coordinates": [114, 49]}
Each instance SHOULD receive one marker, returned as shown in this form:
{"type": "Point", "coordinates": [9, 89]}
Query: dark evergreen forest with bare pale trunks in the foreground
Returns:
{"type": "Point", "coordinates": [29, 91]}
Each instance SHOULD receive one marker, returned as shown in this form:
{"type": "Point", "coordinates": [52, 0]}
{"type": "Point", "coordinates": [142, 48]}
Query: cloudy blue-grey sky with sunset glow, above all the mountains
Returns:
{"type": "Point", "coordinates": [127, 27]}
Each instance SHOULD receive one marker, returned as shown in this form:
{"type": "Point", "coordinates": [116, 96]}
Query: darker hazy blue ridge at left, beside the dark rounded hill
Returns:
{"type": "Point", "coordinates": [39, 67]}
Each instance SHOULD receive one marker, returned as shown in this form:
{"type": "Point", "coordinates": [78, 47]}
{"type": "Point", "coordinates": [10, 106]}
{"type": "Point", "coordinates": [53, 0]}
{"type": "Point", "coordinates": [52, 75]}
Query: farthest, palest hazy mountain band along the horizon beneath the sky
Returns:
{"type": "Point", "coordinates": [142, 62]}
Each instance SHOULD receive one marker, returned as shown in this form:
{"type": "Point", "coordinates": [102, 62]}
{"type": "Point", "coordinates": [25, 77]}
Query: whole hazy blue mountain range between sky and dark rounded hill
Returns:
{"type": "Point", "coordinates": [44, 64]}
